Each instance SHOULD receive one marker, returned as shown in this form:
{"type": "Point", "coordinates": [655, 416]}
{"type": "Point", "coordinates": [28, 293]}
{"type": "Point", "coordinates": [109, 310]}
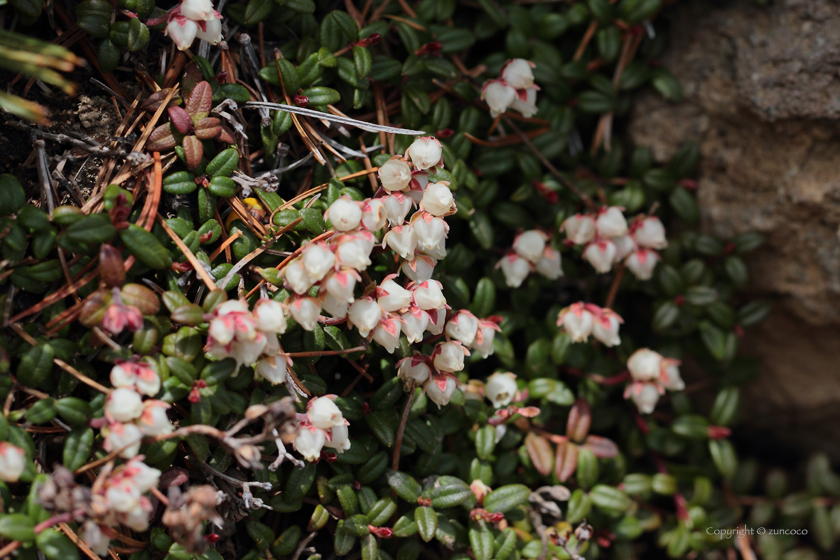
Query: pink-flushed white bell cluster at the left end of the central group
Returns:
{"type": "Point", "coordinates": [250, 336]}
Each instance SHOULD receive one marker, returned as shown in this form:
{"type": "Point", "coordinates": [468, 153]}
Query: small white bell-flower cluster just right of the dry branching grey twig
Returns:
{"type": "Point", "coordinates": [322, 425]}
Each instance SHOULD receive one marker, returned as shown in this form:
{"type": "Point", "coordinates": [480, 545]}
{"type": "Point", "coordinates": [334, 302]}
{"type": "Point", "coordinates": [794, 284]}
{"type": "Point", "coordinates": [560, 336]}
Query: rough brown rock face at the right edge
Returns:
{"type": "Point", "coordinates": [761, 91]}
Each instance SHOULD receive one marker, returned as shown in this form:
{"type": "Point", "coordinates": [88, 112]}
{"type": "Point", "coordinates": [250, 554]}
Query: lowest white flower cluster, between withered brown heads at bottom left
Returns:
{"type": "Point", "coordinates": [119, 500]}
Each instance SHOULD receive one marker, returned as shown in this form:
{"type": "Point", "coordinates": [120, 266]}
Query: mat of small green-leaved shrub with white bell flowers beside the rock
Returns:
{"type": "Point", "coordinates": [375, 281]}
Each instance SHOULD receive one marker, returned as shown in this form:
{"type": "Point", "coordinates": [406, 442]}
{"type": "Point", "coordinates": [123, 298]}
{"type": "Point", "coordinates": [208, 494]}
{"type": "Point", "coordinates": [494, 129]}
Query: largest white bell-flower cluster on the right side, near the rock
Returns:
{"type": "Point", "coordinates": [609, 240]}
